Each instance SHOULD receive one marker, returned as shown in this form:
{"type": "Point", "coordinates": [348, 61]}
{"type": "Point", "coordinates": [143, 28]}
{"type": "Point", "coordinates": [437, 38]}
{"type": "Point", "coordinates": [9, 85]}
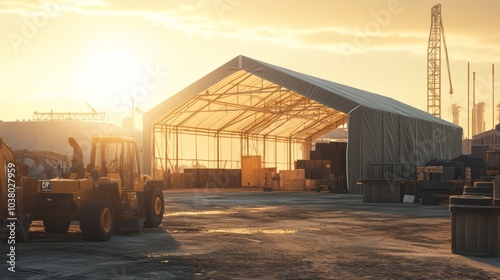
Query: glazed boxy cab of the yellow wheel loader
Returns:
{"type": "Point", "coordinates": [116, 158]}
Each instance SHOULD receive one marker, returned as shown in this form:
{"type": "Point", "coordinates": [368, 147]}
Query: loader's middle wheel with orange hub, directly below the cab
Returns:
{"type": "Point", "coordinates": [97, 221]}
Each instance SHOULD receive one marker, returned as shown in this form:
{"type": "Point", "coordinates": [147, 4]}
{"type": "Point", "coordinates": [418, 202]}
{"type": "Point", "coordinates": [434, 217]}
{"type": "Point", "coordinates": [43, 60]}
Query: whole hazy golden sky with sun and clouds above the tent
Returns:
{"type": "Point", "coordinates": [70, 55]}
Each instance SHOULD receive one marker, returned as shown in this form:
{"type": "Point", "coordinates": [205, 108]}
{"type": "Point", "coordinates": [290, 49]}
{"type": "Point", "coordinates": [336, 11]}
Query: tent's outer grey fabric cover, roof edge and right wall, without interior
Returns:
{"type": "Point", "coordinates": [380, 129]}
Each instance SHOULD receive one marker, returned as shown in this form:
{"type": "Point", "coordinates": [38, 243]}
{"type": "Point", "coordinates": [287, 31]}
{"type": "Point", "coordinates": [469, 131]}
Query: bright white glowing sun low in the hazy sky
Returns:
{"type": "Point", "coordinates": [112, 72]}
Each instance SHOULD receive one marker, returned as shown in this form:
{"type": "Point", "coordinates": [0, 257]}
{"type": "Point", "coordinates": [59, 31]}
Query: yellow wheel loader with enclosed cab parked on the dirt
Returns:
{"type": "Point", "coordinates": [113, 196]}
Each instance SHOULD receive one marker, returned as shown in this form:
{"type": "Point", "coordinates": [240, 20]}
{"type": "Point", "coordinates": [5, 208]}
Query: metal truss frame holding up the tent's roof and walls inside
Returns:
{"type": "Point", "coordinates": [252, 109]}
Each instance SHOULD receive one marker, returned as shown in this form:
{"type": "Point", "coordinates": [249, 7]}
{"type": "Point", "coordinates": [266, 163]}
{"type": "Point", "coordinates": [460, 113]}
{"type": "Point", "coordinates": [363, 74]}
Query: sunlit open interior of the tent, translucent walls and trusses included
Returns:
{"type": "Point", "coordinates": [241, 115]}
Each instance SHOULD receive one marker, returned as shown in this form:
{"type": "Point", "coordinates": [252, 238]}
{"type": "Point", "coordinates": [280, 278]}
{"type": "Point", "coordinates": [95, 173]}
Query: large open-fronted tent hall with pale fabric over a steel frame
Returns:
{"type": "Point", "coordinates": [247, 97]}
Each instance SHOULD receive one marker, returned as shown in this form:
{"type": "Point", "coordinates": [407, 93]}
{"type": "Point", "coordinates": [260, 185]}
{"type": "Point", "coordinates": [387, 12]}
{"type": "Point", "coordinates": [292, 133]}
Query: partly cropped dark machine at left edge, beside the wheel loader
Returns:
{"type": "Point", "coordinates": [14, 222]}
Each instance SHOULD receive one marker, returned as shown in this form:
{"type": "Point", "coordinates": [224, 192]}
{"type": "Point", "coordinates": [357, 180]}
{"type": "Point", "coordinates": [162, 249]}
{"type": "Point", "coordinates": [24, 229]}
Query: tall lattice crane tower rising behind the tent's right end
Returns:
{"type": "Point", "coordinates": [434, 63]}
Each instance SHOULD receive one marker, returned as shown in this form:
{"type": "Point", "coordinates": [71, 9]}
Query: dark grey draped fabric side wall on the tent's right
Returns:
{"type": "Point", "coordinates": [381, 137]}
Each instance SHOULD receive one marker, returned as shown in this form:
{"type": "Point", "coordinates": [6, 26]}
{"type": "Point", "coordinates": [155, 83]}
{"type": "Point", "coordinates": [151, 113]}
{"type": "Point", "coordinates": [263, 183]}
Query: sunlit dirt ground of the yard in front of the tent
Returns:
{"type": "Point", "coordinates": [251, 234]}
